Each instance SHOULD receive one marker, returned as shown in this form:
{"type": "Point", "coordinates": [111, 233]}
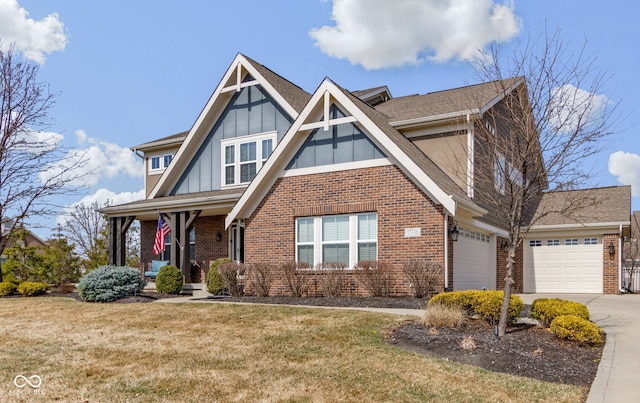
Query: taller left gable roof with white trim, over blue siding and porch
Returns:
{"type": "Point", "coordinates": [288, 95]}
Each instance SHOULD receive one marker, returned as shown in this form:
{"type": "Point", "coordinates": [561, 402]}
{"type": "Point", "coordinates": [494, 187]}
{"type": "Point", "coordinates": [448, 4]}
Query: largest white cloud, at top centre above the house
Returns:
{"type": "Point", "coordinates": [381, 33]}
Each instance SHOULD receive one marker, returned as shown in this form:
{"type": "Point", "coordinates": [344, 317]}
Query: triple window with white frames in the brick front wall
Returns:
{"type": "Point", "coordinates": [344, 239]}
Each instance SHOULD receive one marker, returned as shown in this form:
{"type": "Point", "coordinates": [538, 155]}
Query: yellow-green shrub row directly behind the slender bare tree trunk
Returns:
{"type": "Point", "coordinates": [486, 304]}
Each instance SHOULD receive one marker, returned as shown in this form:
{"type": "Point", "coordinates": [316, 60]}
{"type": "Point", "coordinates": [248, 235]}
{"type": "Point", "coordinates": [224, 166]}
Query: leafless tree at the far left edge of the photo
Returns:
{"type": "Point", "coordinates": [33, 167]}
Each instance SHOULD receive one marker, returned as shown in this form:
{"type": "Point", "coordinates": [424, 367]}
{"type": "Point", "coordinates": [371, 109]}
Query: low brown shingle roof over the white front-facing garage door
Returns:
{"type": "Point", "coordinates": [603, 206]}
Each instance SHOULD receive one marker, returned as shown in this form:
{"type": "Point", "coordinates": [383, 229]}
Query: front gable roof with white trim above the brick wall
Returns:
{"type": "Point", "coordinates": [430, 178]}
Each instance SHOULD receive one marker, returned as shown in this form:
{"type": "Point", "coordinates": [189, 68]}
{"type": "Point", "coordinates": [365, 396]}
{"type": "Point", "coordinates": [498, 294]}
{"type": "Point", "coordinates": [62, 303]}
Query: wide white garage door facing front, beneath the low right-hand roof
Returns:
{"type": "Point", "coordinates": [571, 265]}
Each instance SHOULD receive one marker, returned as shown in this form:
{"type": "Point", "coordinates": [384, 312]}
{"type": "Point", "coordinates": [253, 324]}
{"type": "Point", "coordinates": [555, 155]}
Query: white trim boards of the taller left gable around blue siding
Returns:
{"type": "Point", "coordinates": [207, 118]}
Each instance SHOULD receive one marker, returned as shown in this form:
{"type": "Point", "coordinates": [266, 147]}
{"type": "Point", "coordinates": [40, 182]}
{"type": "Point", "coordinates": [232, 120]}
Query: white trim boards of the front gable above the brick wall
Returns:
{"type": "Point", "coordinates": [295, 136]}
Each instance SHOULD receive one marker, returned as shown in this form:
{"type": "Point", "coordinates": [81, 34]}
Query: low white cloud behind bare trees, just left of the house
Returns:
{"type": "Point", "coordinates": [101, 159]}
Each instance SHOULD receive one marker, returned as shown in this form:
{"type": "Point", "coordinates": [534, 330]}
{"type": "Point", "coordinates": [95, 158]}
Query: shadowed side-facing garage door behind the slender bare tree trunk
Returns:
{"type": "Point", "coordinates": [474, 265]}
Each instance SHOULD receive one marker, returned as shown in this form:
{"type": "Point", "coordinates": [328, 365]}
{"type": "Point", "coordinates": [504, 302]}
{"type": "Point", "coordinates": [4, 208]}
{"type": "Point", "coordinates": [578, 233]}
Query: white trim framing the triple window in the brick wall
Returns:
{"type": "Point", "coordinates": [353, 238]}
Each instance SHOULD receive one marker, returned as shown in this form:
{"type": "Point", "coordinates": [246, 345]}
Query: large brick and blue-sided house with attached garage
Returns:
{"type": "Point", "coordinates": [269, 173]}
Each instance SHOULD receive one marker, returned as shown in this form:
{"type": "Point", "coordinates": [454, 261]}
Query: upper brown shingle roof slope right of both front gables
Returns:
{"type": "Point", "coordinates": [457, 102]}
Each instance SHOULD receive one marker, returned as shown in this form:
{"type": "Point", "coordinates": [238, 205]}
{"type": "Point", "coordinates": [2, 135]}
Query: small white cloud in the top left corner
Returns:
{"type": "Point", "coordinates": [33, 38]}
